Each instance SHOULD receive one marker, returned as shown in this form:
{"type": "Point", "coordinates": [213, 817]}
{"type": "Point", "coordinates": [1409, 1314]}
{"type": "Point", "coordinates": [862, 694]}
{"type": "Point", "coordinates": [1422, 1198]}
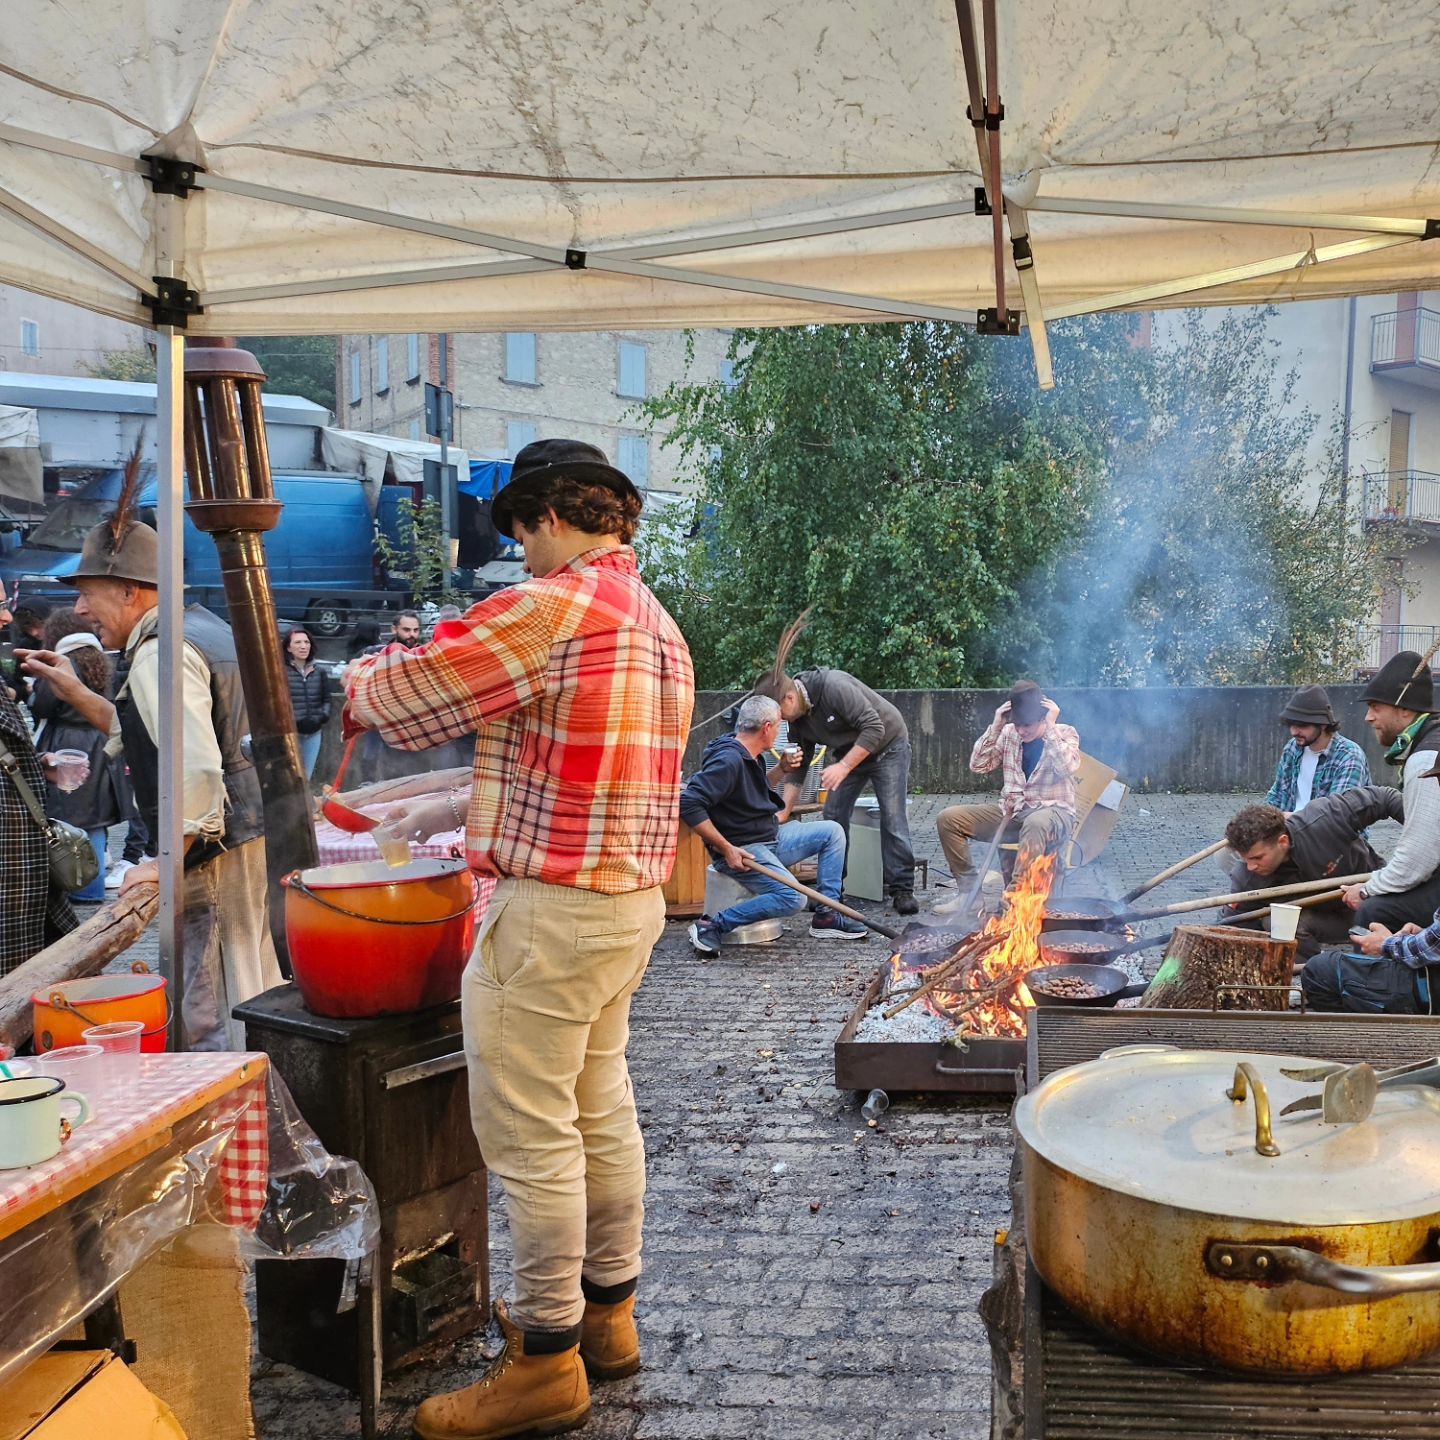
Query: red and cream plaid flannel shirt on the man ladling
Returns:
{"type": "Point", "coordinates": [578, 688]}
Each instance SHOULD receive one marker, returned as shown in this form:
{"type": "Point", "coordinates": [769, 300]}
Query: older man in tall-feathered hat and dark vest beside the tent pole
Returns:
{"type": "Point", "coordinates": [228, 951]}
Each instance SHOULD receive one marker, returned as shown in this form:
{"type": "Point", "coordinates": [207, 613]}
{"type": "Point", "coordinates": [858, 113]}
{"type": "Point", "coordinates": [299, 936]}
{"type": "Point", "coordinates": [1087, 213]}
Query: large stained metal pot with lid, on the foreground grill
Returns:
{"type": "Point", "coordinates": [1169, 1207]}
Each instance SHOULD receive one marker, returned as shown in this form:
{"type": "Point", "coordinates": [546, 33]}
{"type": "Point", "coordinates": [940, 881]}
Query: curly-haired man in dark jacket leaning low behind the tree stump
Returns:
{"type": "Point", "coordinates": [1326, 839]}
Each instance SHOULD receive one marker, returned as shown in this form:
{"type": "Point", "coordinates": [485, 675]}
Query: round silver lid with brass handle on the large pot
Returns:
{"type": "Point", "coordinates": [1163, 1128]}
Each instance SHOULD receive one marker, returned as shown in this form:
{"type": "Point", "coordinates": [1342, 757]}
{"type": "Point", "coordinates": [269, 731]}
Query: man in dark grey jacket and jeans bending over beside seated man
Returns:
{"type": "Point", "coordinates": [868, 744]}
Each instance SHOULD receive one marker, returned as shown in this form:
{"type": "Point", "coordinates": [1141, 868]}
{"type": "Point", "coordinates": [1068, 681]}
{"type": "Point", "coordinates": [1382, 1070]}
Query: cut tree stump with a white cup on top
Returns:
{"type": "Point", "coordinates": [1205, 958]}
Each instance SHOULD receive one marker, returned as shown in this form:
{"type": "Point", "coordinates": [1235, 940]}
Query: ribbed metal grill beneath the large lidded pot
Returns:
{"type": "Point", "coordinates": [1082, 1386]}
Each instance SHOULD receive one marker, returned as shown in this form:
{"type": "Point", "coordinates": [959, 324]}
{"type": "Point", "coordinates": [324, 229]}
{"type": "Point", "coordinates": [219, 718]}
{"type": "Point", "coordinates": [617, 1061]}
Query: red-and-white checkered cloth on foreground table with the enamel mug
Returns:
{"type": "Point", "coordinates": [230, 1088]}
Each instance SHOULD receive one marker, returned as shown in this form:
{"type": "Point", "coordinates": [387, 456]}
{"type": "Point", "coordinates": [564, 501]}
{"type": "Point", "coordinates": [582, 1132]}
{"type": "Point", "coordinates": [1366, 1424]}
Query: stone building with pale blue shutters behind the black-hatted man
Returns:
{"type": "Point", "coordinates": [512, 390]}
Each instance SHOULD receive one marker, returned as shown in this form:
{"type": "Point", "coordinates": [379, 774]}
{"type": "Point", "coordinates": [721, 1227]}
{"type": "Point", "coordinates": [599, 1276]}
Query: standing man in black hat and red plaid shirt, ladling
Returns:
{"type": "Point", "coordinates": [578, 688]}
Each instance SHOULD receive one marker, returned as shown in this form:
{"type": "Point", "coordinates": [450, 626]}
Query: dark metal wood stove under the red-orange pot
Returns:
{"type": "Point", "coordinates": [392, 1094]}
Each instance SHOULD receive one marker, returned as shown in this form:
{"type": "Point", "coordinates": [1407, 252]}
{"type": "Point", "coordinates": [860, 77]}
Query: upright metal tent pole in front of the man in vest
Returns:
{"type": "Point", "coordinates": [171, 738]}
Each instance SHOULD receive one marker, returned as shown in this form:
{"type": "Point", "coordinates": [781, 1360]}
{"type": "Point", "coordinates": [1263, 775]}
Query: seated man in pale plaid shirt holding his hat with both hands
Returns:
{"type": "Point", "coordinates": [1039, 761]}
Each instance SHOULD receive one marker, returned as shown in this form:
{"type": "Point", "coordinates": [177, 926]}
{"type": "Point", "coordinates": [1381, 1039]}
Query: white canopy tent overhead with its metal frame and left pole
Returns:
{"type": "Point", "coordinates": [528, 165]}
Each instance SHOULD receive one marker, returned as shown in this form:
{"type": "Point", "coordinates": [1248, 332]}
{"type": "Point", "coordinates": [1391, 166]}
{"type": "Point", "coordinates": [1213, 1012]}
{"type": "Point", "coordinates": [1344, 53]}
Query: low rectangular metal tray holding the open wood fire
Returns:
{"type": "Point", "coordinates": [986, 1066]}
